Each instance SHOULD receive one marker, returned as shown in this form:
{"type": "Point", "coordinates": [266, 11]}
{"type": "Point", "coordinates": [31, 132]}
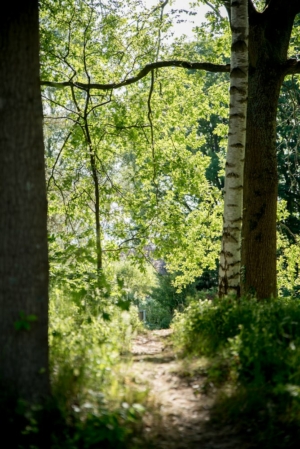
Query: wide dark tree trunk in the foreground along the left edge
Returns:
{"type": "Point", "coordinates": [23, 207]}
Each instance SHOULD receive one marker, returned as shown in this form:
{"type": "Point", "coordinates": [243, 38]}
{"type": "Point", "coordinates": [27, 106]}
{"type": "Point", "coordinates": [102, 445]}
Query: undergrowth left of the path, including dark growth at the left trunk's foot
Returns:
{"type": "Point", "coordinates": [95, 402]}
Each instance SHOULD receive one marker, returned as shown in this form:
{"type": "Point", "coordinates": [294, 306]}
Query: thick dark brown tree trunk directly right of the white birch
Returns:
{"type": "Point", "coordinates": [268, 44]}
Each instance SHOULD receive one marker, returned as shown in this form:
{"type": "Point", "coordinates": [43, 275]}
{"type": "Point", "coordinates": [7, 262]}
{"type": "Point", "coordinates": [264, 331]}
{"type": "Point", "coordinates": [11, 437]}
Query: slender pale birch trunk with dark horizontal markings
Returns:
{"type": "Point", "coordinates": [230, 256]}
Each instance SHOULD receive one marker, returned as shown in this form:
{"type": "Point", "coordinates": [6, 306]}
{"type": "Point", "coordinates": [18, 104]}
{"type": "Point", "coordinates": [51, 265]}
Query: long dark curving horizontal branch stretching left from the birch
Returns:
{"type": "Point", "coordinates": [216, 68]}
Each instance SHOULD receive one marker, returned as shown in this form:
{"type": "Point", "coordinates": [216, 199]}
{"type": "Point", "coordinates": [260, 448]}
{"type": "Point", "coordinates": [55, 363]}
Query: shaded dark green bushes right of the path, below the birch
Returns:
{"type": "Point", "coordinates": [255, 347]}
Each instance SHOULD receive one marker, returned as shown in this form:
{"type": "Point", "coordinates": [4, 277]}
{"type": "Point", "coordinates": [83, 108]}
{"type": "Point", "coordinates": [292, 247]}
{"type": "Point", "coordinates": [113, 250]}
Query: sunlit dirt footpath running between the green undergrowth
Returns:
{"type": "Point", "coordinates": [181, 400]}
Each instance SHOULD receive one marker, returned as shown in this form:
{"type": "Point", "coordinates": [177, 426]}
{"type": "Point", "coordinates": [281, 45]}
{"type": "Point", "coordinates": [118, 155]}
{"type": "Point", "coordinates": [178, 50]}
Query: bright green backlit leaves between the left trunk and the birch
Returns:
{"type": "Point", "coordinates": [137, 149]}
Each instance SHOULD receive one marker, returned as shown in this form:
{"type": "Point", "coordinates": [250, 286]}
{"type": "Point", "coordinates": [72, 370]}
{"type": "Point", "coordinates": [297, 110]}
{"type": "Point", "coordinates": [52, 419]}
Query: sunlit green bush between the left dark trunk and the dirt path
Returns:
{"type": "Point", "coordinates": [88, 385]}
